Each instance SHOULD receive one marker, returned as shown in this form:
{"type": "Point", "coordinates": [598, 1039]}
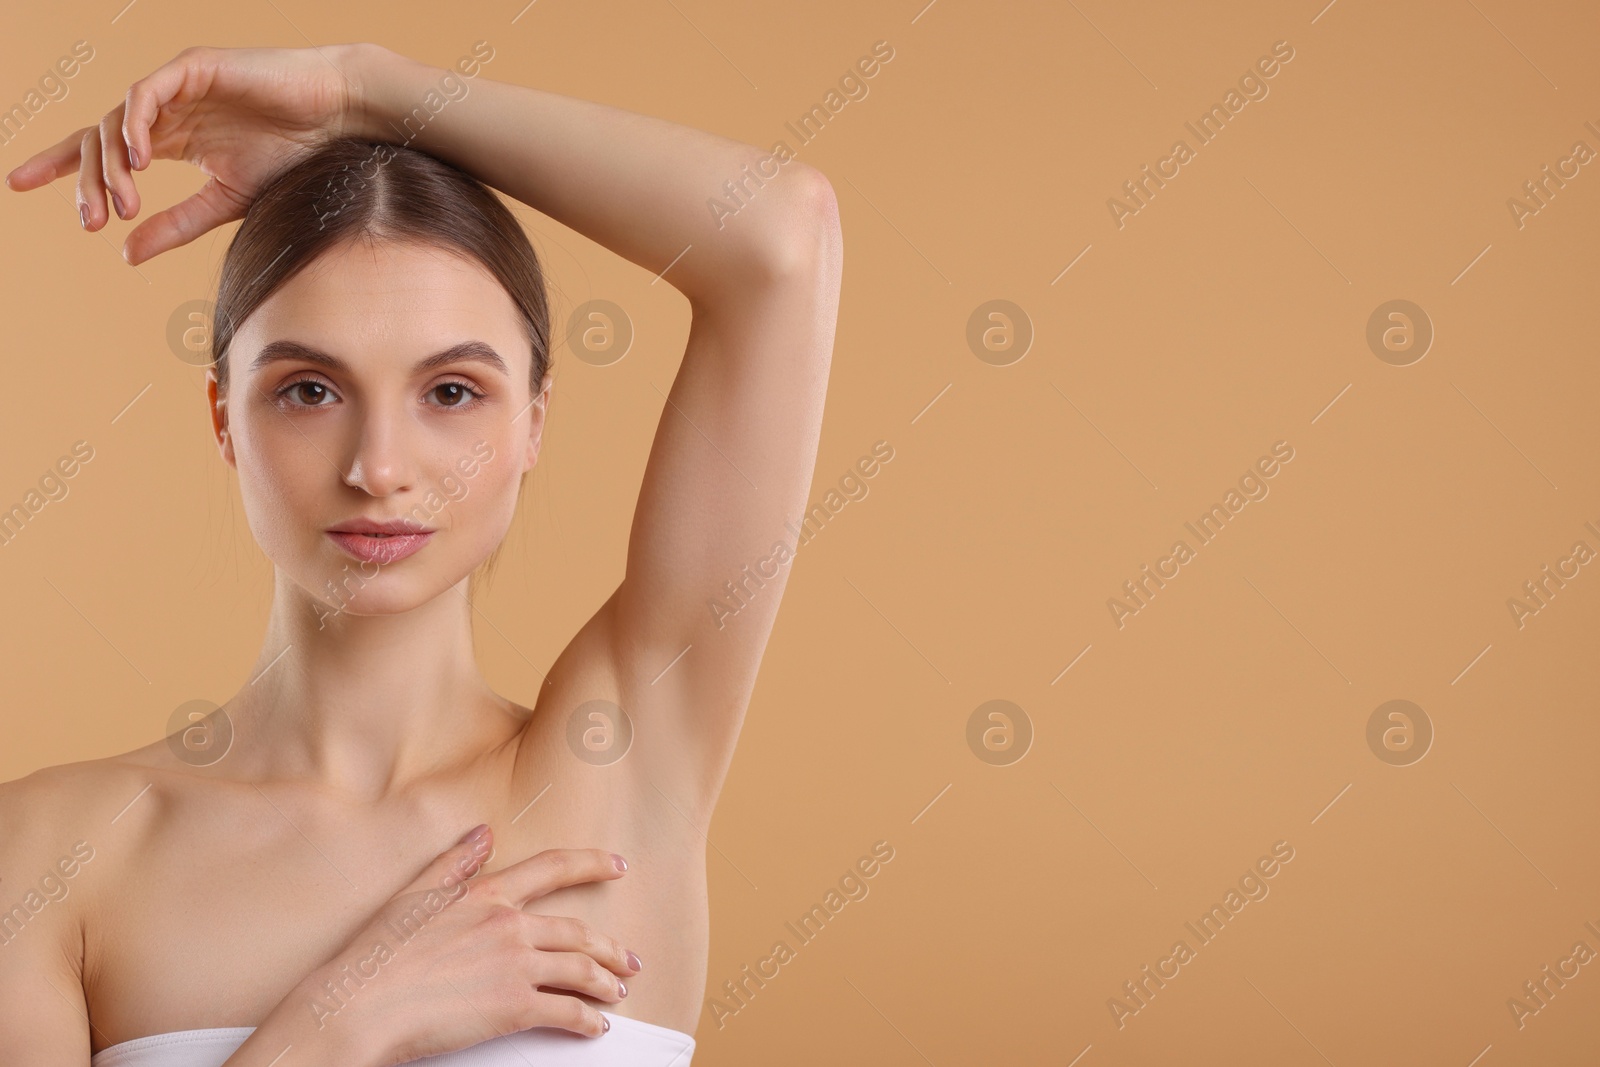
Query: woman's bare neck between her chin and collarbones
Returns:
{"type": "Point", "coordinates": [366, 705]}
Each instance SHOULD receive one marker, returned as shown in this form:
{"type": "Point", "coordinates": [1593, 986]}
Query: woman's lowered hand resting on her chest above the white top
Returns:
{"type": "Point", "coordinates": [455, 961]}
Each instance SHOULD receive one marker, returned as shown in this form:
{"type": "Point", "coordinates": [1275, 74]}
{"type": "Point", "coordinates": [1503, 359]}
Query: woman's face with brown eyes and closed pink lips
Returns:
{"type": "Point", "coordinates": [380, 417]}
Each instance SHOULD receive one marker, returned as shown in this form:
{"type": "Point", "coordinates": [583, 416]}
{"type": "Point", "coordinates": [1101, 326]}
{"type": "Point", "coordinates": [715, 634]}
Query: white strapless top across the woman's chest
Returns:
{"type": "Point", "coordinates": [628, 1044]}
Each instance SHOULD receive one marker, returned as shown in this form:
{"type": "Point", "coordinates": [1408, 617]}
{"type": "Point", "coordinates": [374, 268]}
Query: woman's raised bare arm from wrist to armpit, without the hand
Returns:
{"type": "Point", "coordinates": [737, 444]}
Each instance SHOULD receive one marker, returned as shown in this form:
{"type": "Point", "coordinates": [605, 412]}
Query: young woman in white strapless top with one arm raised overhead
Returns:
{"type": "Point", "coordinates": [303, 892]}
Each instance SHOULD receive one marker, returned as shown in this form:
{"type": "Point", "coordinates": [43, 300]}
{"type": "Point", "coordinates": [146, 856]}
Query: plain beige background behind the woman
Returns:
{"type": "Point", "coordinates": [1222, 319]}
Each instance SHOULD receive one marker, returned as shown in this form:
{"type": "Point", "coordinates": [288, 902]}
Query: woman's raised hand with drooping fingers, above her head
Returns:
{"type": "Point", "coordinates": [239, 114]}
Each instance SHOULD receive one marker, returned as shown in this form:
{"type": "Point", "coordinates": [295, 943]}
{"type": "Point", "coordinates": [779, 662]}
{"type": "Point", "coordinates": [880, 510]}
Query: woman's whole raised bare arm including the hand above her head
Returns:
{"type": "Point", "coordinates": [732, 463]}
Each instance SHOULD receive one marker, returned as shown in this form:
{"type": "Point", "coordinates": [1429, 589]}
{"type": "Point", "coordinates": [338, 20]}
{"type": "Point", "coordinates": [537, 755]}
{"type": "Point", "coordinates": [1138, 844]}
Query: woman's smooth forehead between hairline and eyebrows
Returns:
{"type": "Point", "coordinates": [369, 297]}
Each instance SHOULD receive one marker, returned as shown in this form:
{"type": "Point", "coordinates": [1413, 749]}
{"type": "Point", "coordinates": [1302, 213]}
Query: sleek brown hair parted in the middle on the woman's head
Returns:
{"type": "Point", "coordinates": [348, 190]}
